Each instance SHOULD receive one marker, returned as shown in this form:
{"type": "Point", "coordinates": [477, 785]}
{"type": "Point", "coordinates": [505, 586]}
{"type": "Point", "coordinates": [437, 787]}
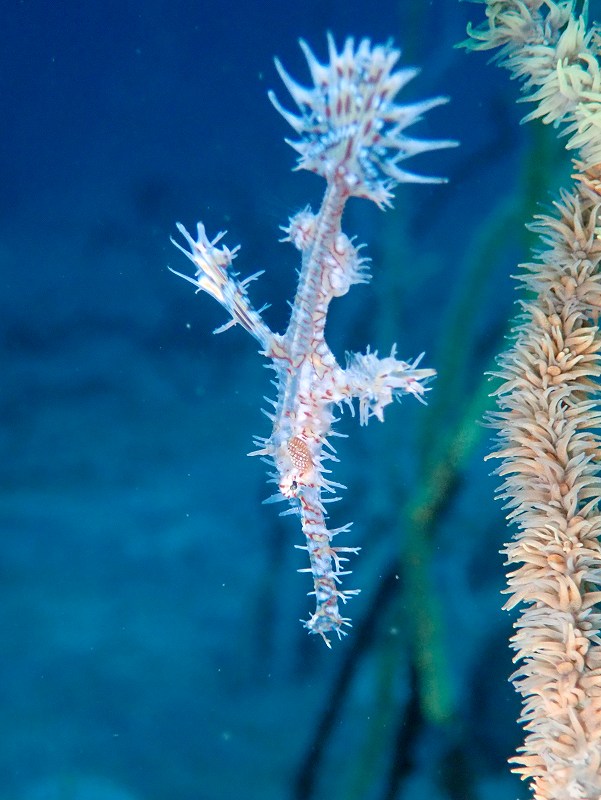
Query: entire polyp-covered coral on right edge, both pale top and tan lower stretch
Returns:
{"type": "Point", "coordinates": [549, 413]}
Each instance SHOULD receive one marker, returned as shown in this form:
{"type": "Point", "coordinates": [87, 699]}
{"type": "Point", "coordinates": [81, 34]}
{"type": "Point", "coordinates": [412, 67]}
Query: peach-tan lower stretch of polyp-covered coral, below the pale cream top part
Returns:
{"type": "Point", "coordinates": [550, 465]}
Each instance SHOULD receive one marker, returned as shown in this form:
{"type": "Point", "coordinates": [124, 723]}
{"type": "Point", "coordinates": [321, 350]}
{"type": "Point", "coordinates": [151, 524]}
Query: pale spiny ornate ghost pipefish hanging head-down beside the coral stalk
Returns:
{"type": "Point", "coordinates": [351, 132]}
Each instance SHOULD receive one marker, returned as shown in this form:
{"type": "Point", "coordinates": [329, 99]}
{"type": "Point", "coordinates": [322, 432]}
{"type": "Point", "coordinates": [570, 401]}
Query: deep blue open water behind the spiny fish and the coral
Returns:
{"type": "Point", "coordinates": [149, 603]}
